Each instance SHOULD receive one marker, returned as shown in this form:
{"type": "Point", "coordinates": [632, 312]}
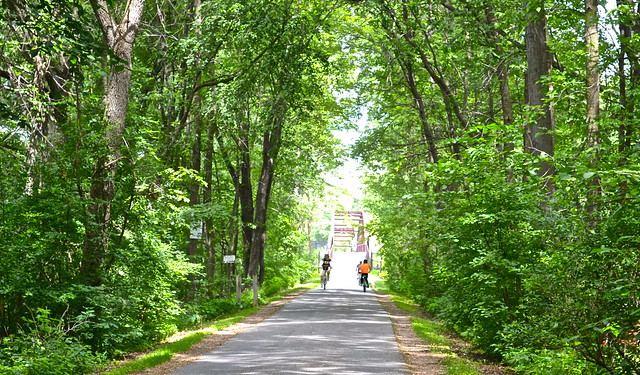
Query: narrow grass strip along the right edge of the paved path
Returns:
{"type": "Point", "coordinates": [435, 335]}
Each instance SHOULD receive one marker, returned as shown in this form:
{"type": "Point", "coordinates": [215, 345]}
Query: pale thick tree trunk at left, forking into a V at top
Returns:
{"type": "Point", "coordinates": [119, 39]}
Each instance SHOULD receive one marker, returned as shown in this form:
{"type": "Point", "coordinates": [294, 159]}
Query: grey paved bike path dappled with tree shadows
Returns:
{"type": "Point", "coordinates": [333, 331]}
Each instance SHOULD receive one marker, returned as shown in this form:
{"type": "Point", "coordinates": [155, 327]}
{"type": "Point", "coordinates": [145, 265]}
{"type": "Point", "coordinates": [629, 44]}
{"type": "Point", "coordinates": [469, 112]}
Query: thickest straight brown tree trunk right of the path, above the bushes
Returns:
{"type": "Point", "coordinates": [539, 138]}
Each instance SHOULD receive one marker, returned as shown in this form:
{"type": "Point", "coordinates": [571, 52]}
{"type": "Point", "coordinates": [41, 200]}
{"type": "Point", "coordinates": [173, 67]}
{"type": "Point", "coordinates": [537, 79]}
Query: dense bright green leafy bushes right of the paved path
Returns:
{"type": "Point", "coordinates": [543, 286]}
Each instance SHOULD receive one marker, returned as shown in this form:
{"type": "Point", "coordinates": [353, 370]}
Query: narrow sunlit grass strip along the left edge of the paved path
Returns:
{"type": "Point", "coordinates": [167, 350]}
